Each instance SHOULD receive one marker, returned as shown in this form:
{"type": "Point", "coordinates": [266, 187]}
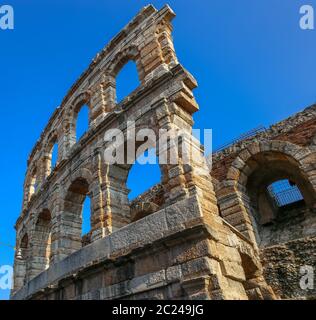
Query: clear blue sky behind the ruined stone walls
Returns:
{"type": "Point", "coordinates": [253, 63]}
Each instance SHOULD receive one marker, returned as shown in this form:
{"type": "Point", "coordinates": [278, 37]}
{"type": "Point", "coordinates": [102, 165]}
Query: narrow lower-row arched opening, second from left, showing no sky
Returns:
{"type": "Point", "coordinates": [41, 248]}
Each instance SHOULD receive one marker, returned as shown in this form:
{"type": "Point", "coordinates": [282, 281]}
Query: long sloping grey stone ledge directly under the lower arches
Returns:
{"type": "Point", "coordinates": [153, 228]}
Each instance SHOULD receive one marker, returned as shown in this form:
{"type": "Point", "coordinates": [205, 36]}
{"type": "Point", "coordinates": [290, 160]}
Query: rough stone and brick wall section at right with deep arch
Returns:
{"type": "Point", "coordinates": [285, 236]}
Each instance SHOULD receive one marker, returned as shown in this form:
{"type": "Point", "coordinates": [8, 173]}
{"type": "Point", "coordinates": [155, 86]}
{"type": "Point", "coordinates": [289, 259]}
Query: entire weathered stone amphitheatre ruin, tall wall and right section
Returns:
{"type": "Point", "coordinates": [180, 240]}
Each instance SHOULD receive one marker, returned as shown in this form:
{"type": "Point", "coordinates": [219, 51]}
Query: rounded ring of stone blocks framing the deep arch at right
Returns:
{"type": "Point", "coordinates": [257, 166]}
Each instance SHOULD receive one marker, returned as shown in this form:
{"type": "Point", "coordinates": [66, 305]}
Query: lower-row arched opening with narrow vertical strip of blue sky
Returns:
{"type": "Point", "coordinates": [77, 210]}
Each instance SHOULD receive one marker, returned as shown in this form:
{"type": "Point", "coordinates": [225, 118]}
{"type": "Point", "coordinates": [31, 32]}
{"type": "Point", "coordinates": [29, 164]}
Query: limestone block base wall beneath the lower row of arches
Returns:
{"type": "Point", "coordinates": [179, 252]}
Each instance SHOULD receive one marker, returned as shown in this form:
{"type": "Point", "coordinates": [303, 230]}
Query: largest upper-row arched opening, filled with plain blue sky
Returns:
{"type": "Point", "coordinates": [127, 80]}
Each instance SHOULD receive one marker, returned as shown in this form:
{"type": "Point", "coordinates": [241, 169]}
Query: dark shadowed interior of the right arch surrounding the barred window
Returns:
{"type": "Point", "coordinates": [264, 169]}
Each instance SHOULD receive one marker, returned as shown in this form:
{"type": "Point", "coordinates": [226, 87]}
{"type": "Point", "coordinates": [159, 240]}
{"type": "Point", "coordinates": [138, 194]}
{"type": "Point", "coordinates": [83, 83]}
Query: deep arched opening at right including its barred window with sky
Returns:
{"type": "Point", "coordinates": [278, 197]}
